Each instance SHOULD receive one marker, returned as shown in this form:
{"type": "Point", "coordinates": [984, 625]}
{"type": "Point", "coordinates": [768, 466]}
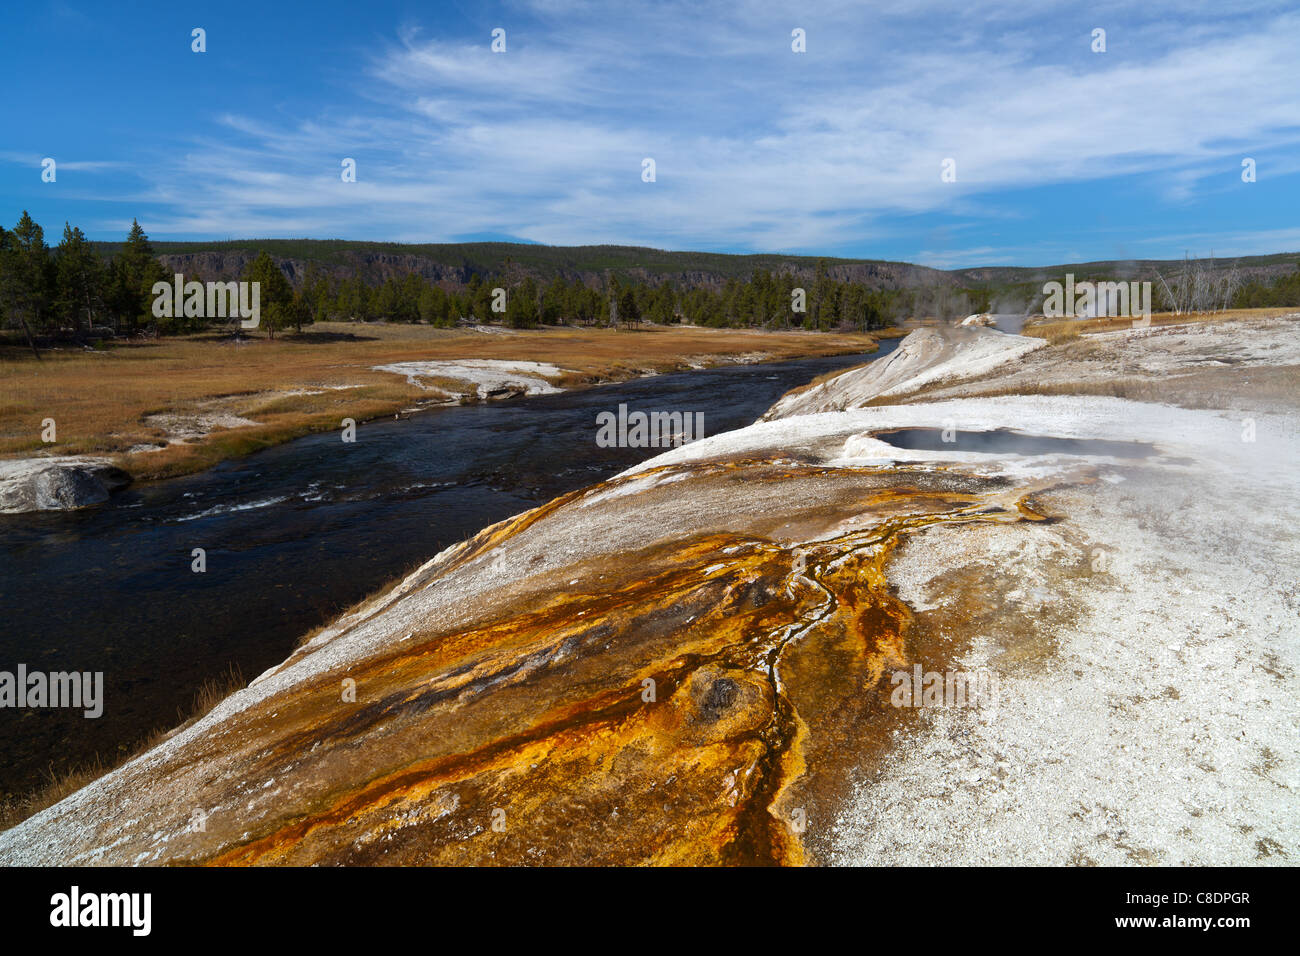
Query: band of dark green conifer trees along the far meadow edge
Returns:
{"type": "Point", "coordinates": [72, 291]}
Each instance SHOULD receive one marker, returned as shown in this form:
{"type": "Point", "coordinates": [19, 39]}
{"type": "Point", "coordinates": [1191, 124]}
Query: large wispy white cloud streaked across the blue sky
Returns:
{"type": "Point", "coordinates": [756, 148]}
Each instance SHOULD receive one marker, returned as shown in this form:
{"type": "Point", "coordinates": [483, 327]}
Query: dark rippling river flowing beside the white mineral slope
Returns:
{"type": "Point", "coordinates": [292, 537]}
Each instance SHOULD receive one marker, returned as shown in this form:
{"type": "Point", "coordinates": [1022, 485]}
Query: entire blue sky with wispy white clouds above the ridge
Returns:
{"type": "Point", "coordinates": [1061, 154]}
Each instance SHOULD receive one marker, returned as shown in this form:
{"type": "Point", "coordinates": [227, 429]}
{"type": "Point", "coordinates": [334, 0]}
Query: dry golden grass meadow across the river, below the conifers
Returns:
{"type": "Point", "coordinates": [101, 401]}
